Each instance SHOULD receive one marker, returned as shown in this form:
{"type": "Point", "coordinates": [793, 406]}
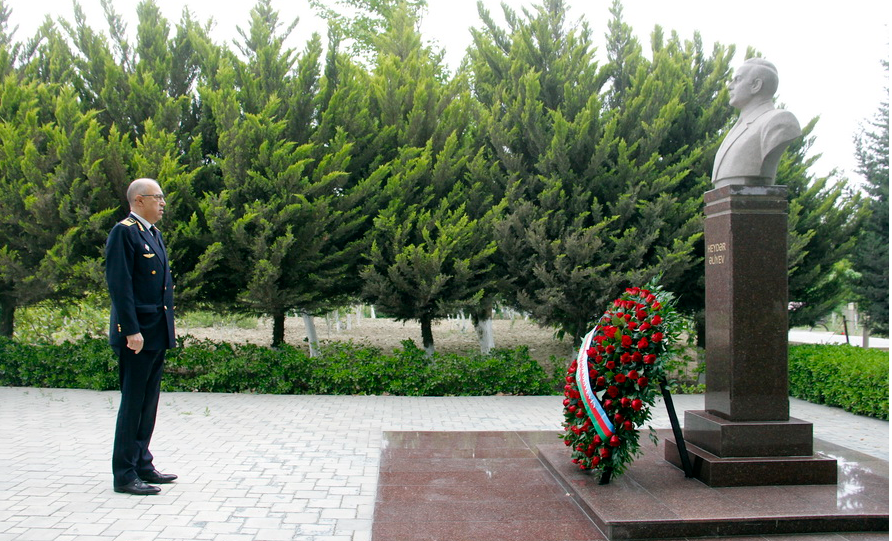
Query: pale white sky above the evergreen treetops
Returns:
{"type": "Point", "coordinates": [828, 57]}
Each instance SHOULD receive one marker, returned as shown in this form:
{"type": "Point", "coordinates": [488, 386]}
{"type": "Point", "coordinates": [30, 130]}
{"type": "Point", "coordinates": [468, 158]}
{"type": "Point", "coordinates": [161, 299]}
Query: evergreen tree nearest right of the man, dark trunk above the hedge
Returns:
{"type": "Point", "coordinates": [283, 226]}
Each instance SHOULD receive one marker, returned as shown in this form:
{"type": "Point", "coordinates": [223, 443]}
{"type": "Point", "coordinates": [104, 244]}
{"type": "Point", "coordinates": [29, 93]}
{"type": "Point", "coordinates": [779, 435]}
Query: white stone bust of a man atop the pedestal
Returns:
{"type": "Point", "coordinates": [751, 151]}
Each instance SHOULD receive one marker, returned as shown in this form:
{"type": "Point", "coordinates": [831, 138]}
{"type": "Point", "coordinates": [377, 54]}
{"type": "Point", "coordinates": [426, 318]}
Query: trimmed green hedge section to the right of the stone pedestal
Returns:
{"type": "Point", "coordinates": [855, 379]}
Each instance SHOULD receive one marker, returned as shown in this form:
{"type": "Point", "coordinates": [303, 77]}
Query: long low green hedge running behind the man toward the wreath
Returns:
{"type": "Point", "coordinates": [342, 368]}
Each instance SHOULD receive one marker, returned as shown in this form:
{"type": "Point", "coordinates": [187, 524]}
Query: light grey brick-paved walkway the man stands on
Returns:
{"type": "Point", "coordinates": [257, 467]}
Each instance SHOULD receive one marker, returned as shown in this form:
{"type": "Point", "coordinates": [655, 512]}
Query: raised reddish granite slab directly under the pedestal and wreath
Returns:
{"type": "Point", "coordinates": [654, 499]}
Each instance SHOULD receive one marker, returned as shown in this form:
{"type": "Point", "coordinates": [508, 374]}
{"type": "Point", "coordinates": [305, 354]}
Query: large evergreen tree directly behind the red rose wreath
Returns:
{"type": "Point", "coordinates": [603, 181]}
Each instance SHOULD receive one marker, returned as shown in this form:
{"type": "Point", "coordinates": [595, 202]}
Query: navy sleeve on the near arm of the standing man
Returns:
{"type": "Point", "coordinates": [119, 254]}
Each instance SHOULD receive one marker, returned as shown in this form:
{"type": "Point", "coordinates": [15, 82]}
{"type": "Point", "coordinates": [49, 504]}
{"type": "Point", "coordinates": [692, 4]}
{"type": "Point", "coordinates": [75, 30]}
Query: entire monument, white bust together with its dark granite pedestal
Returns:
{"type": "Point", "coordinates": [745, 435]}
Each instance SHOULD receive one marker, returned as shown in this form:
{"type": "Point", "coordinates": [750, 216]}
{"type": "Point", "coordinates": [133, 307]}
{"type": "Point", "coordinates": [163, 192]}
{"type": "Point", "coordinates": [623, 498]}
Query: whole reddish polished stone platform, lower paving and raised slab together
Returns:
{"type": "Point", "coordinates": [491, 486]}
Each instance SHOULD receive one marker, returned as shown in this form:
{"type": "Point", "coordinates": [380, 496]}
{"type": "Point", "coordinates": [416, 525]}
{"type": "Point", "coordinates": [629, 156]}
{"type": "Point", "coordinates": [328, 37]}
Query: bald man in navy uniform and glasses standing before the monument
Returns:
{"type": "Point", "coordinates": [141, 330]}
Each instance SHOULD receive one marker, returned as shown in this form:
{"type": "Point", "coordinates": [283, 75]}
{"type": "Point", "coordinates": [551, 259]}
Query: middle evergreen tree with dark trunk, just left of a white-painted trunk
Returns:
{"type": "Point", "coordinates": [431, 248]}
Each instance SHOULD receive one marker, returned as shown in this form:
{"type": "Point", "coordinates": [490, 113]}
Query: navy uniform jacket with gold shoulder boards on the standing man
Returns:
{"type": "Point", "coordinates": [140, 285]}
